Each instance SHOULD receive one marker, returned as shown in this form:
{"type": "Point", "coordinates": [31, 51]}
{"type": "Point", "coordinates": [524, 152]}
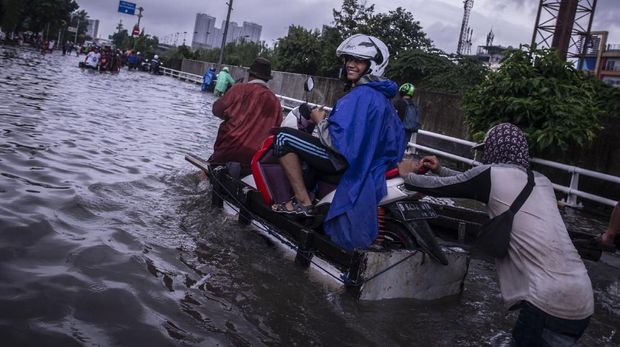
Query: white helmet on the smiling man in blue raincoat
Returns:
{"type": "Point", "coordinates": [366, 47]}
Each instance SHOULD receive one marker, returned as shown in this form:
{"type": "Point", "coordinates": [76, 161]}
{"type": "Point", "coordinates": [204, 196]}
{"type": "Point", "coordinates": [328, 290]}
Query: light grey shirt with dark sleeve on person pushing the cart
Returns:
{"type": "Point", "coordinates": [542, 266]}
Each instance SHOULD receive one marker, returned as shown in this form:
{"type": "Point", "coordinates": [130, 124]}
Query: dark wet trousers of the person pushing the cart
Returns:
{"type": "Point", "coordinates": [535, 328]}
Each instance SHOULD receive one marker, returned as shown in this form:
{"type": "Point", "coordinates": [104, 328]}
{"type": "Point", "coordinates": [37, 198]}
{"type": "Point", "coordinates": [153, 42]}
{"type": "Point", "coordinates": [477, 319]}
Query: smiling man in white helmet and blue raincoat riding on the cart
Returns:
{"type": "Point", "coordinates": [361, 139]}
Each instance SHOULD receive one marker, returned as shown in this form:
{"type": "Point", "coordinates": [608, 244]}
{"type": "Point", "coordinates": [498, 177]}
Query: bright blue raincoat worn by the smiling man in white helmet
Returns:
{"type": "Point", "coordinates": [366, 130]}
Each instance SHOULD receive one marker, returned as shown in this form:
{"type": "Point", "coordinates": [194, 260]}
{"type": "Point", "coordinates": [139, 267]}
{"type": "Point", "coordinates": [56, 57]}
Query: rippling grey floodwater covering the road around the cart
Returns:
{"type": "Point", "coordinates": [107, 237]}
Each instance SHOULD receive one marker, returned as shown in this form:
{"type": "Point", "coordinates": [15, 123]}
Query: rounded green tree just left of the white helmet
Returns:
{"type": "Point", "coordinates": [299, 51]}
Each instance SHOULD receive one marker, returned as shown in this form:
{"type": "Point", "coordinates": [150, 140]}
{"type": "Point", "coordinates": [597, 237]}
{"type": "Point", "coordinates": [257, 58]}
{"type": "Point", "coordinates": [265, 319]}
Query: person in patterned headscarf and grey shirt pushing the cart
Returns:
{"type": "Point", "coordinates": [542, 274]}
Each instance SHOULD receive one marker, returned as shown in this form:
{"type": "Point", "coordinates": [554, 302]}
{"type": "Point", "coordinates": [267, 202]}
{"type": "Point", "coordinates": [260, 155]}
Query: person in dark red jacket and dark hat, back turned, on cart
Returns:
{"type": "Point", "coordinates": [249, 111]}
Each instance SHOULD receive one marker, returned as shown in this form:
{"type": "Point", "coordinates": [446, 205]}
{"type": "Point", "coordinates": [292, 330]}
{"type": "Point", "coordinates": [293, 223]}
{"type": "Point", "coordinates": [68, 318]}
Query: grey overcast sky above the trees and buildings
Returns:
{"type": "Point", "coordinates": [512, 21]}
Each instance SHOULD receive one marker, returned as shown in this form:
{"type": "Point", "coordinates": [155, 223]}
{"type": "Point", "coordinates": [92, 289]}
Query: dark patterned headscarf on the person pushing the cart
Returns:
{"type": "Point", "coordinates": [505, 144]}
